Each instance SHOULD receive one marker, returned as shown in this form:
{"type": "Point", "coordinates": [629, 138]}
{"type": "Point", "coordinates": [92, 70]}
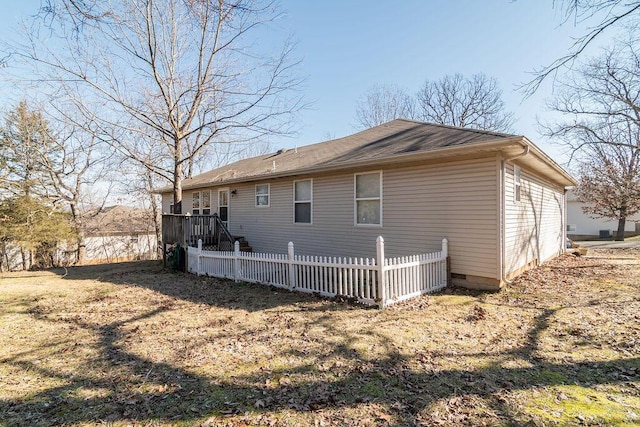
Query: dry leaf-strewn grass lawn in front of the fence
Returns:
{"type": "Point", "coordinates": [131, 344]}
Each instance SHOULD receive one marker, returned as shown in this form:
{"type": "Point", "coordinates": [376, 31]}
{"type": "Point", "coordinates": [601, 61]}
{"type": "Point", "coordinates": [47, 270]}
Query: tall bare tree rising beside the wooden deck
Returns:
{"type": "Point", "coordinates": [167, 77]}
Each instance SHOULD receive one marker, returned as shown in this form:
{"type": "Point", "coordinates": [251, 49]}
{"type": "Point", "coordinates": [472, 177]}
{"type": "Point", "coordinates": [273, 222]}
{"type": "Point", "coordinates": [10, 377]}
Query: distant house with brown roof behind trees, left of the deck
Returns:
{"type": "Point", "coordinates": [119, 233]}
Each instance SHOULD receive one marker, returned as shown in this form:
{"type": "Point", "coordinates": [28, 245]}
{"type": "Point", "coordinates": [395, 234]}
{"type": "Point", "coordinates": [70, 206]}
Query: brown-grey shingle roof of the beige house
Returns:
{"type": "Point", "coordinates": [395, 138]}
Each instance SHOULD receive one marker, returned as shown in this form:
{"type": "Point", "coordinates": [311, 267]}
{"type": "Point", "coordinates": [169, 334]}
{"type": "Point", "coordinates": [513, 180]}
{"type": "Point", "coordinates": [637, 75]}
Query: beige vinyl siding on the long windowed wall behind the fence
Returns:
{"type": "Point", "coordinates": [421, 205]}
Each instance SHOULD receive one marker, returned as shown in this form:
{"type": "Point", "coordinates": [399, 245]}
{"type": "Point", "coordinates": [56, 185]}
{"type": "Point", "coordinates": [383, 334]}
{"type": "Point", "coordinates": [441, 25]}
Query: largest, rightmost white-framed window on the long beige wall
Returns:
{"type": "Point", "coordinates": [368, 198]}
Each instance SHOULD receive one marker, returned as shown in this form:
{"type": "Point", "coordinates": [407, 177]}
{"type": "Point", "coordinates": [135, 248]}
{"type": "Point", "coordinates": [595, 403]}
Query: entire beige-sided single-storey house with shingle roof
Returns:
{"type": "Point", "coordinates": [497, 198]}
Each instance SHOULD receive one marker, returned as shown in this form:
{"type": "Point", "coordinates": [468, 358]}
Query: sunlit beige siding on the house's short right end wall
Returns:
{"type": "Point", "coordinates": [533, 226]}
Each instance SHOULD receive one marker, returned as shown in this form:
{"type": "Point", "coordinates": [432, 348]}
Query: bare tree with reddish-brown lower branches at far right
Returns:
{"type": "Point", "coordinates": [600, 107]}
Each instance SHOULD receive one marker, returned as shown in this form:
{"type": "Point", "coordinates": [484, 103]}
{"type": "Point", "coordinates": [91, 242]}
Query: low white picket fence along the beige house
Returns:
{"type": "Point", "coordinates": [374, 281]}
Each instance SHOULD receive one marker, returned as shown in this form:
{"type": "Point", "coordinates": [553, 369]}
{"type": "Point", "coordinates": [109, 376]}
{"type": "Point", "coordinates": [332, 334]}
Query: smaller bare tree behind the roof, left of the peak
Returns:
{"type": "Point", "coordinates": [383, 103]}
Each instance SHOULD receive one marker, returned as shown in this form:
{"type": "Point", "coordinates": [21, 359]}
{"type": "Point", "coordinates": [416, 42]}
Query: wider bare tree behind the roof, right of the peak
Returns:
{"type": "Point", "coordinates": [474, 102]}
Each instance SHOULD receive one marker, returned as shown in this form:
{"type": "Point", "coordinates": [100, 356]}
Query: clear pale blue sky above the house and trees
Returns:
{"type": "Point", "coordinates": [348, 46]}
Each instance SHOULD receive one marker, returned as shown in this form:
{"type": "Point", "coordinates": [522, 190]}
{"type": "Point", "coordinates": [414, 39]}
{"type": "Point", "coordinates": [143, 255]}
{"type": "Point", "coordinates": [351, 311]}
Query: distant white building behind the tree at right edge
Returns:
{"type": "Point", "coordinates": [581, 226]}
